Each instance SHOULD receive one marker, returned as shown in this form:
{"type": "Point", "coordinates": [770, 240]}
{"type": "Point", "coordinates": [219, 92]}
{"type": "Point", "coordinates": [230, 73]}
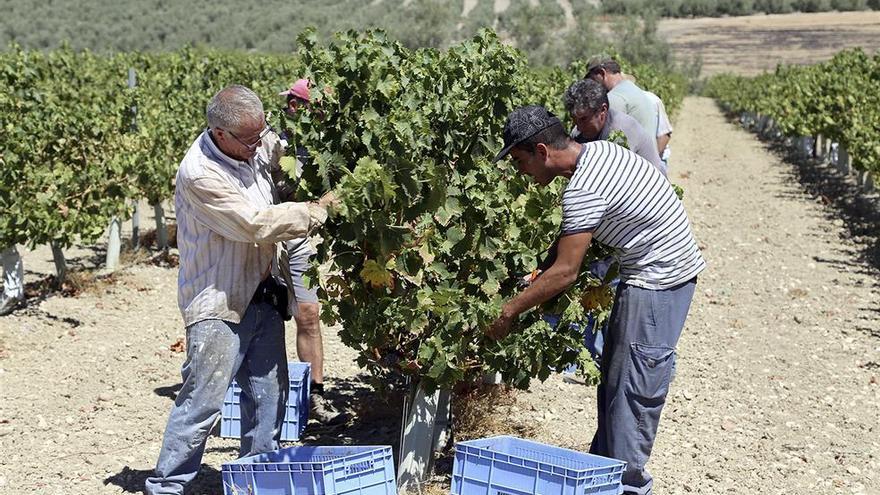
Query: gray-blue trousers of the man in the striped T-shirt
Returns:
{"type": "Point", "coordinates": [637, 365]}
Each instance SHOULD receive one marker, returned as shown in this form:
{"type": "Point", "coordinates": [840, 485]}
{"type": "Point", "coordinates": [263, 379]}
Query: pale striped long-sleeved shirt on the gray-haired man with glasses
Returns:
{"type": "Point", "coordinates": [228, 227]}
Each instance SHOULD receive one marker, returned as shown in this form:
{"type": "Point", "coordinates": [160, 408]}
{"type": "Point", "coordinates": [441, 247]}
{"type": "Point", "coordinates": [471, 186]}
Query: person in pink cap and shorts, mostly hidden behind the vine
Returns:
{"type": "Point", "coordinates": [309, 341]}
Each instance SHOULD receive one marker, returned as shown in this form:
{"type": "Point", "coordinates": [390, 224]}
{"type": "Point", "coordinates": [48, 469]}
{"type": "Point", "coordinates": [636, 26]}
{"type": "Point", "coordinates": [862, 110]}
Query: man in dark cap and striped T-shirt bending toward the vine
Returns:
{"type": "Point", "coordinates": [621, 200]}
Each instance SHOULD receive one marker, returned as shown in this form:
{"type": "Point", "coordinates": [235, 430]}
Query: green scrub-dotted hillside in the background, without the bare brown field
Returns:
{"type": "Point", "coordinates": [549, 31]}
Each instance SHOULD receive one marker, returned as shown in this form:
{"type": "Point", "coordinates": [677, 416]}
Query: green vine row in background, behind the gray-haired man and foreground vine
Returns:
{"type": "Point", "coordinates": [79, 144]}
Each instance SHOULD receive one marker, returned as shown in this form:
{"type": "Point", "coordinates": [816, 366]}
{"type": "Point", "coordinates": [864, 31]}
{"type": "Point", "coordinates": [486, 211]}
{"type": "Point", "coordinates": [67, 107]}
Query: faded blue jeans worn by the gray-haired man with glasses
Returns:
{"type": "Point", "coordinates": [251, 351]}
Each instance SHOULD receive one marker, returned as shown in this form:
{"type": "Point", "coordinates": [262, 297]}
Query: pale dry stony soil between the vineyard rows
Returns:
{"type": "Point", "coordinates": [777, 388]}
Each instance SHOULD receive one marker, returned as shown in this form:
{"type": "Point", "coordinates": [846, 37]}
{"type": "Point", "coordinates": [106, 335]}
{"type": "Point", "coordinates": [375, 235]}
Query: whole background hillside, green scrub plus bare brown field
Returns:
{"type": "Point", "coordinates": [549, 31]}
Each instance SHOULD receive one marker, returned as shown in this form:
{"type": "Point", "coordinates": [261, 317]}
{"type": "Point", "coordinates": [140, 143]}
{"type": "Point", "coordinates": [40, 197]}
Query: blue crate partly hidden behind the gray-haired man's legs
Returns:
{"type": "Point", "coordinates": [296, 416]}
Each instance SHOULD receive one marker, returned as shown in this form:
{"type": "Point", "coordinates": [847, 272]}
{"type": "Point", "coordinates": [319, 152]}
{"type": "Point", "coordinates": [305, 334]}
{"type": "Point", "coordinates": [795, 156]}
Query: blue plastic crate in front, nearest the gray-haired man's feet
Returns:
{"type": "Point", "coordinates": [355, 470]}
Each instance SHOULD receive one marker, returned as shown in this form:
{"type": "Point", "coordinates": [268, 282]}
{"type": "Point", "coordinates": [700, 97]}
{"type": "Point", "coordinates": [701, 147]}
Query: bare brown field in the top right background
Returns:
{"type": "Point", "coordinates": [752, 44]}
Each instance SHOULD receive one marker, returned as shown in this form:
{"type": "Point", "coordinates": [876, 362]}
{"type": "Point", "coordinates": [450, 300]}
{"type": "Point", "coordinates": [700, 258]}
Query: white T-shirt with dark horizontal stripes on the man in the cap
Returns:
{"type": "Point", "coordinates": [628, 205]}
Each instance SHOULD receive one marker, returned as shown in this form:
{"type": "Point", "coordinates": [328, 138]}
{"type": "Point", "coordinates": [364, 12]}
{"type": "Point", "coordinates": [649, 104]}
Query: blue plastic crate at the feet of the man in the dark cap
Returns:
{"type": "Point", "coordinates": [512, 466]}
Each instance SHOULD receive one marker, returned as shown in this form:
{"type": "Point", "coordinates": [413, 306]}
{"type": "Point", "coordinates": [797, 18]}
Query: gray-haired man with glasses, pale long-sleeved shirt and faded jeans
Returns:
{"type": "Point", "coordinates": [229, 293]}
